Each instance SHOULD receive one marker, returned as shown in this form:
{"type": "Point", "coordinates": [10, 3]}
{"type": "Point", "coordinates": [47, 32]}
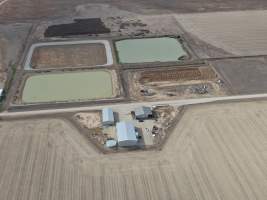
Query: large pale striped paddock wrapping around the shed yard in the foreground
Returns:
{"type": "Point", "coordinates": [216, 152]}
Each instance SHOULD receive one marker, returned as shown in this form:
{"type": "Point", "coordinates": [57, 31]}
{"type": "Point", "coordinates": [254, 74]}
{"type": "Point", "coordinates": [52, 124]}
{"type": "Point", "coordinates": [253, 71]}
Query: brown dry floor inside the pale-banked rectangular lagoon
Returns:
{"type": "Point", "coordinates": [69, 56]}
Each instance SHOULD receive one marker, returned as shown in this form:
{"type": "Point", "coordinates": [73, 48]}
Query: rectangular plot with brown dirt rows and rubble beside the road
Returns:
{"type": "Point", "coordinates": [173, 83]}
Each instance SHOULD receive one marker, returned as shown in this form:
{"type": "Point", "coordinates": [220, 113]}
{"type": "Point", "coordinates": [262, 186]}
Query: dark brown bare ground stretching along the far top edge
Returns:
{"type": "Point", "coordinates": [33, 9]}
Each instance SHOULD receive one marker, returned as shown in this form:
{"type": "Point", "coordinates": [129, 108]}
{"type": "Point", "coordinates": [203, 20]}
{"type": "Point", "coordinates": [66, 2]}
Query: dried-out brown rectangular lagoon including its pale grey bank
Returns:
{"type": "Point", "coordinates": [69, 54]}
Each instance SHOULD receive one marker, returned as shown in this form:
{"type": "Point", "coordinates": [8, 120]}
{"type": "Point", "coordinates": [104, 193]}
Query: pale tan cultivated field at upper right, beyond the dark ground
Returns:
{"type": "Point", "coordinates": [239, 33]}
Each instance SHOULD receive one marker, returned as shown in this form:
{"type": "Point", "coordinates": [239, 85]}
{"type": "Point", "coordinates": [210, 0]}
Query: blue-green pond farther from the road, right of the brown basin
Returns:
{"type": "Point", "coordinates": [164, 49]}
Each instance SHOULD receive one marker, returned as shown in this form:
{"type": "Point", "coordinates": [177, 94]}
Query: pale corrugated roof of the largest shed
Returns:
{"type": "Point", "coordinates": [125, 131]}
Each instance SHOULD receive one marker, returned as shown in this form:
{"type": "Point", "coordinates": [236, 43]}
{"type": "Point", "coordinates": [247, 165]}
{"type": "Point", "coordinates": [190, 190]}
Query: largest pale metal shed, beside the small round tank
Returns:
{"type": "Point", "coordinates": [126, 134]}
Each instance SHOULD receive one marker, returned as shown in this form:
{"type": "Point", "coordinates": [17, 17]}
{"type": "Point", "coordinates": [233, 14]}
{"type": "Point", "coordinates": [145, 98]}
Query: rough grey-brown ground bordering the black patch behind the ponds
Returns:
{"type": "Point", "coordinates": [120, 22]}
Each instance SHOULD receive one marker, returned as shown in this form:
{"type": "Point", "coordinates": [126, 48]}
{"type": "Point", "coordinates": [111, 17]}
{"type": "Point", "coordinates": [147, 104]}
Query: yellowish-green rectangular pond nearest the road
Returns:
{"type": "Point", "coordinates": [71, 86]}
